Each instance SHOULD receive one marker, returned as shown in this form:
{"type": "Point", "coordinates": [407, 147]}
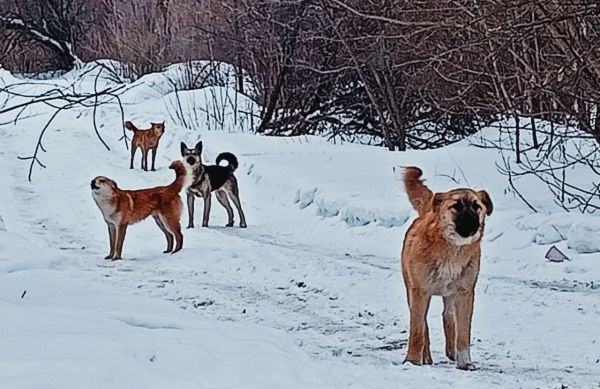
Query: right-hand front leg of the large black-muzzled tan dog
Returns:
{"type": "Point", "coordinates": [464, 314]}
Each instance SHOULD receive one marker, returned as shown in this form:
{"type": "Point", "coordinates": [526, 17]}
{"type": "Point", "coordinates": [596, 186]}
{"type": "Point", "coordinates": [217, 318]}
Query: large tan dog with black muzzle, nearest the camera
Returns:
{"type": "Point", "coordinates": [441, 257]}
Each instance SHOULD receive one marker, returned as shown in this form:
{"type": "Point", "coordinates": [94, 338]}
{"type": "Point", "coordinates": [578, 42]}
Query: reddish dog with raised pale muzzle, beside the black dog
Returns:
{"type": "Point", "coordinates": [121, 208]}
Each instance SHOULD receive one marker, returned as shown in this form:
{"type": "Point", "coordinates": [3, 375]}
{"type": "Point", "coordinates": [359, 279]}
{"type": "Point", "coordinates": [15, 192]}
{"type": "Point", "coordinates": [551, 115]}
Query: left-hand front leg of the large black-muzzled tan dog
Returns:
{"type": "Point", "coordinates": [418, 304]}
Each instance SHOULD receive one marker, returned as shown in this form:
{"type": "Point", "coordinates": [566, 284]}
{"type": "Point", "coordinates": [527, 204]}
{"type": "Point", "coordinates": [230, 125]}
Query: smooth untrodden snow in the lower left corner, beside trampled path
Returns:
{"type": "Point", "coordinates": [61, 332]}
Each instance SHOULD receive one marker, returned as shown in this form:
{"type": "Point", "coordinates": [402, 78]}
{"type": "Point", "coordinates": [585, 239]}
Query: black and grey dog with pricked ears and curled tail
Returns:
{"type": "Point", "coordinates": [209, 178]}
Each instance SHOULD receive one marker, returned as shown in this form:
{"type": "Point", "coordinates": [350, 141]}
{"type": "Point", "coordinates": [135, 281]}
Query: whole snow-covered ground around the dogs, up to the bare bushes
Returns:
{"type": "Point", "coordinates": [310, 295]}
